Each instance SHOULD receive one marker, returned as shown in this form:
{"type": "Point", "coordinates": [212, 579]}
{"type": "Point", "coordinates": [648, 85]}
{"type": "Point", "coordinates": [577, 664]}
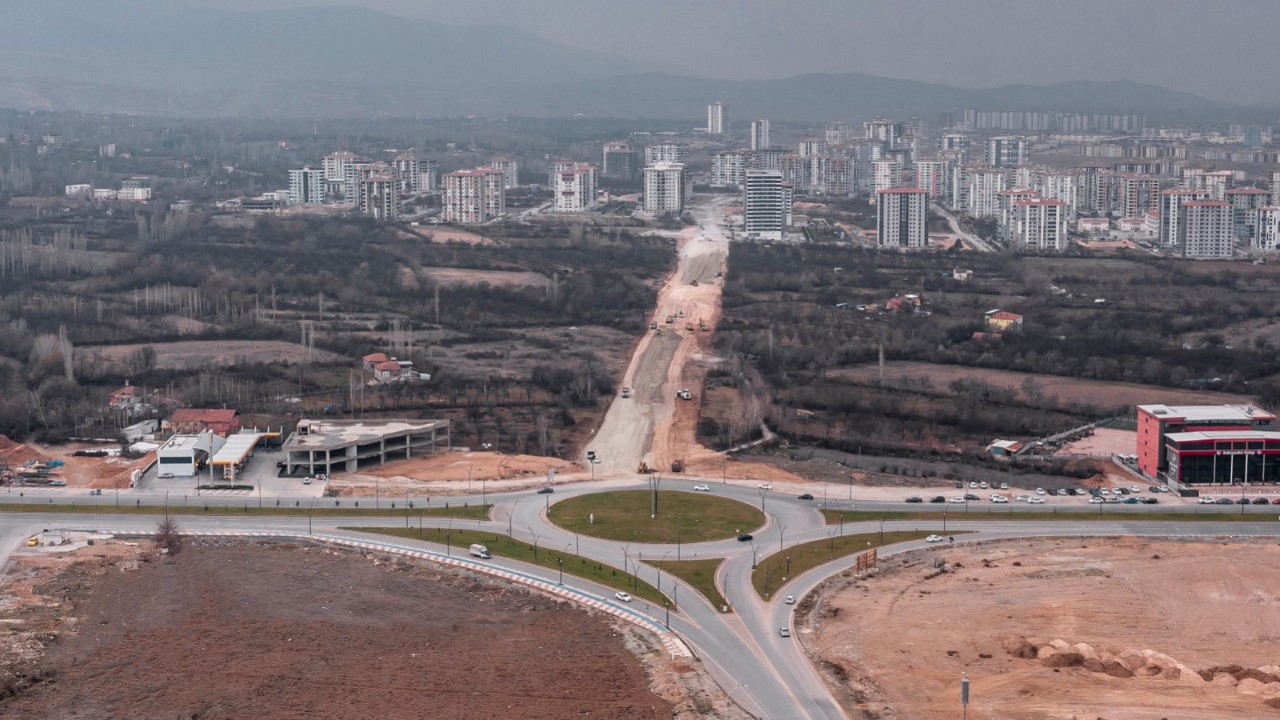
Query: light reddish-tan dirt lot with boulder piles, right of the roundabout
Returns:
{"type": "Point", "coordinates": [903, 640]}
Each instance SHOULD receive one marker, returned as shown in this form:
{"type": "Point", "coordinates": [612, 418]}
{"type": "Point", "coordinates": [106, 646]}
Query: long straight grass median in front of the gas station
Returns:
{"type": "Point", "coordinates": [250, 508]}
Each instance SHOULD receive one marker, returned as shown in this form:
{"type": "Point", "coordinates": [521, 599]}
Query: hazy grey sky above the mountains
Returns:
{"type": "Point", "coordinates": [1222, 49]}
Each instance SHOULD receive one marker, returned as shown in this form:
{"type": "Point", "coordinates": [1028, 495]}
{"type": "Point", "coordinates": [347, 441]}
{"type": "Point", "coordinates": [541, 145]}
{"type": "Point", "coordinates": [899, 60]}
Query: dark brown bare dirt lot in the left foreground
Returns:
{"type": "Point", "coordinates": [235, 631]}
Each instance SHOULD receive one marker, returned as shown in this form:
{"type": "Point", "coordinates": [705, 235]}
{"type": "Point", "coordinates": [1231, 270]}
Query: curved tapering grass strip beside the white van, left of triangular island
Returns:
{"type": "Point", "coordinates": [523, 552]}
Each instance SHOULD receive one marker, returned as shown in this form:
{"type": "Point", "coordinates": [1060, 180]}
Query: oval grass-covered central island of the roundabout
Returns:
{"type": "Point", "coordinates": [683, 517]}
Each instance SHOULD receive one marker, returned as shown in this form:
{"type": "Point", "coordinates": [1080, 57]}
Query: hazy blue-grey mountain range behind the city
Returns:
{"type": "Point", "coordinates": [150, 57]}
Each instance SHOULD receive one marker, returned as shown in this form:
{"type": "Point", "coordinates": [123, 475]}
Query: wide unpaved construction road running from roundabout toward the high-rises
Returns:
{"type": "Point", "coordinates": [653, 426]}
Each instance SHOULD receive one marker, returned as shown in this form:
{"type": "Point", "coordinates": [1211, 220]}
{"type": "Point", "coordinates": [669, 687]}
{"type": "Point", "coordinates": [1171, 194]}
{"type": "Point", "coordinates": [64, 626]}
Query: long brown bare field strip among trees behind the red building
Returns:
{"type": "Point", "coordinates": [1067, 390]}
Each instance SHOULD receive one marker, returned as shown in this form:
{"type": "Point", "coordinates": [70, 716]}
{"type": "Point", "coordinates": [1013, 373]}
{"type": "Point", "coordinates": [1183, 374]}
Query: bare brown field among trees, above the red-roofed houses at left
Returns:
{"type": "Point", "coordinates": [195, 354]}
